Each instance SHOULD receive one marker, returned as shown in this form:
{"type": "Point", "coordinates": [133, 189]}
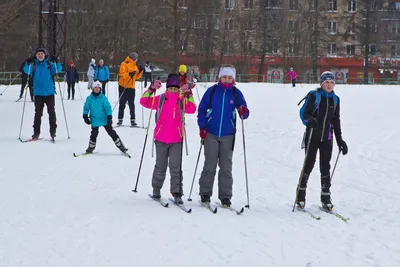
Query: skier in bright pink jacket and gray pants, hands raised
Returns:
{"type": "Point", "coordinates": [169, 131]}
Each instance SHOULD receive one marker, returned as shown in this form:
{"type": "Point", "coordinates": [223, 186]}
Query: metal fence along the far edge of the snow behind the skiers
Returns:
{"type": "Point", "coordinates": [7, 78]}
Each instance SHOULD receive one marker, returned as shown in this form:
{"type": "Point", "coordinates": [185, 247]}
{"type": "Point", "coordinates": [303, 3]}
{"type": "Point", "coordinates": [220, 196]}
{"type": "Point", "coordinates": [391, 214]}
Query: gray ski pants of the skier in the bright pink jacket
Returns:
{"type": "Point", "coordinates": [168, 155]}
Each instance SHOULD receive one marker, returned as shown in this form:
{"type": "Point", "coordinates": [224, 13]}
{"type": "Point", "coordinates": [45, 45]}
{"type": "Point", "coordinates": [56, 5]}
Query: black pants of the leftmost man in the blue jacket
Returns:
{"type": "Point", "coordinates": [40, 101]}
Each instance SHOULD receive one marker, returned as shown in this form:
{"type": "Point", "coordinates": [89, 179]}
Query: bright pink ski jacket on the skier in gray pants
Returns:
{"type": "Point", "coordinates": [169, 123]}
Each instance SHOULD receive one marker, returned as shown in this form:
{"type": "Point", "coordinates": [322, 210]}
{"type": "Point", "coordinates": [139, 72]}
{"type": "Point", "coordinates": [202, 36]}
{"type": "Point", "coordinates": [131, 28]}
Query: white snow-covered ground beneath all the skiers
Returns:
{"type": "Point", "coordinates": [57, 210]}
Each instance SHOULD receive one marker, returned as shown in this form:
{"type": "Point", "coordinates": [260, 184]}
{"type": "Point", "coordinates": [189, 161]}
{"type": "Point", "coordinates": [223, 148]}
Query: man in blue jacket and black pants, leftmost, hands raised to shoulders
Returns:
{"type": "Point", "coordinates": [42, 72]}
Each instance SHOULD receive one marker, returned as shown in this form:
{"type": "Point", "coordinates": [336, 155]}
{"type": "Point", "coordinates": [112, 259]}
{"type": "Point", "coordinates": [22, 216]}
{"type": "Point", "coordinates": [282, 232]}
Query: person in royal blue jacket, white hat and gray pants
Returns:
{"type": "Point", "coordinates": [217, 123]}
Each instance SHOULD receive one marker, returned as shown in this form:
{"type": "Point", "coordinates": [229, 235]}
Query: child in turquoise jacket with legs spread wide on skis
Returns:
{"type": "Point", "coordinates": [97, 112]}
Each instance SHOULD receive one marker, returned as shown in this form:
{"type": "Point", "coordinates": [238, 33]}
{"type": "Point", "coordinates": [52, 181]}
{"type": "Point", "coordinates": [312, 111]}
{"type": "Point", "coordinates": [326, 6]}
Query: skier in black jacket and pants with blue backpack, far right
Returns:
{"type": "Point", "coordinates": [322, 121]}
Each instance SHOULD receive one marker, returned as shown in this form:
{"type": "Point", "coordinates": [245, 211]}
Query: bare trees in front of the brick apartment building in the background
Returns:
{"type": "Point", "coordinates": [205, 31]}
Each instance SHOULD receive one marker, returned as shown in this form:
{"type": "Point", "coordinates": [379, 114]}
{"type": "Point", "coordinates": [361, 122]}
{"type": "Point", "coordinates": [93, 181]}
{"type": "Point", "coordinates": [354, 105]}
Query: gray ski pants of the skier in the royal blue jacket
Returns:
{"type": "Point", "coordinates": [217, 150]}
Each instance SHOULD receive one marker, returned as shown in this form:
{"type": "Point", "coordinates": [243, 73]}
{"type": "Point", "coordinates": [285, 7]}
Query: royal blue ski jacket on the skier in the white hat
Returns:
{"type": "Point", "coordinates": [219, 119]}
